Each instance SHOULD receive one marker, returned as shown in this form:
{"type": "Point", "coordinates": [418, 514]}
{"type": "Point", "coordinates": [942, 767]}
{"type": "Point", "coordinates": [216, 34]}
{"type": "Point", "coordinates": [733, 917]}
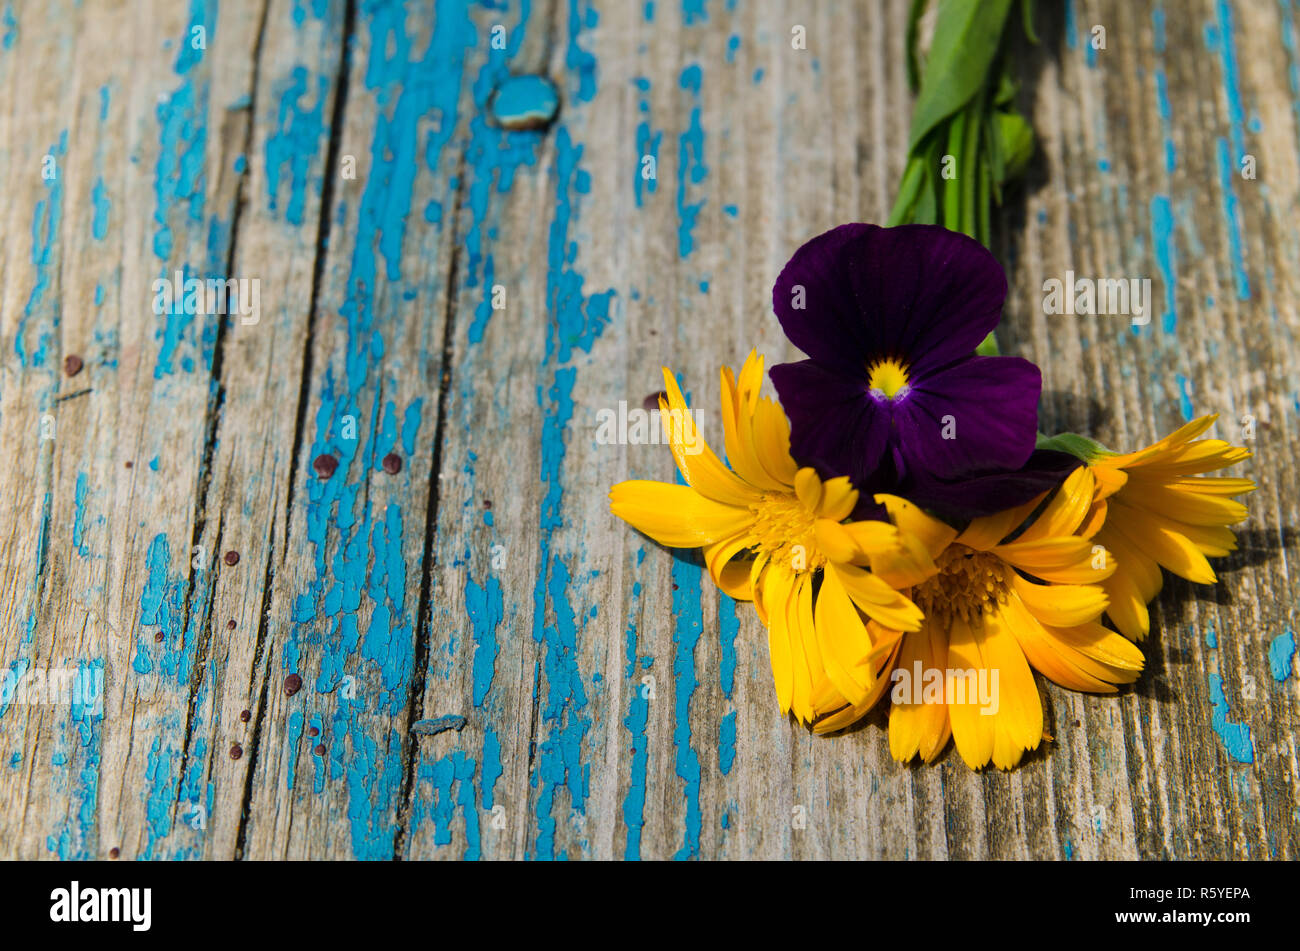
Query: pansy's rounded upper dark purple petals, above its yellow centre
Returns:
{"type": "Point", "coordinates": [918, 293]}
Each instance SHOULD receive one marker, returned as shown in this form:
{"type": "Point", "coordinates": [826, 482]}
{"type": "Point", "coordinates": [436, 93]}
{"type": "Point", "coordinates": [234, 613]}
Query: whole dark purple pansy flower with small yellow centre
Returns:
{"type": "Point", "coordinates": [894, 394]}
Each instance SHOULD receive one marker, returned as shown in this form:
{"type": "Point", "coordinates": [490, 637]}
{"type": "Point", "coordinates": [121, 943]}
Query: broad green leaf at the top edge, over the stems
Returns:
{"type": "Point", "coordinates": [967, 41]}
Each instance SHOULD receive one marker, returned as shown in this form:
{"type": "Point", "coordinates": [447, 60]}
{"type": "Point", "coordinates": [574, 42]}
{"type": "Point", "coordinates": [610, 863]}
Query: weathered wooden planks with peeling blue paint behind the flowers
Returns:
{"type": "Point", "coordinates": [616, 705]}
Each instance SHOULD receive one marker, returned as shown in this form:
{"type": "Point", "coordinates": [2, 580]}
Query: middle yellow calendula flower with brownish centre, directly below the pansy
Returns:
{"type": "Point", "coordinates": [999, 598]}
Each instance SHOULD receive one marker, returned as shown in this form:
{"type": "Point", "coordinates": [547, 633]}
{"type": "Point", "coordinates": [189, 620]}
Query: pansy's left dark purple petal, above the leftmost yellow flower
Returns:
{"type": "Point", "coordinates": [835, 425]}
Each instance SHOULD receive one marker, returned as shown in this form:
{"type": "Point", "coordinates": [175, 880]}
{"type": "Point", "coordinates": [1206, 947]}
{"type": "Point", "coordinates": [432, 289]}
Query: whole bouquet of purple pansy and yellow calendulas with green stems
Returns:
{"type": "Point", "coordinates": [905, 532]}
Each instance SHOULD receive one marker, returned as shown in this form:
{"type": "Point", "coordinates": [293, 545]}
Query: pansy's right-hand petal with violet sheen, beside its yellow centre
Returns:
{"type": "Point", "coordinates": [987, 406]}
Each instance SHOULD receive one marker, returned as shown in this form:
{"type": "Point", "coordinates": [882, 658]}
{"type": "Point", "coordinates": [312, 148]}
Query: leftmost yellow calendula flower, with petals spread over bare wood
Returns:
{"type": "Point", "coordinates": [761, 526]}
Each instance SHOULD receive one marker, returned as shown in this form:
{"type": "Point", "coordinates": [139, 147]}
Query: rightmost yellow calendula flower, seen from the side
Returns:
{"type": "Point", "coordinates": [1158, 511]}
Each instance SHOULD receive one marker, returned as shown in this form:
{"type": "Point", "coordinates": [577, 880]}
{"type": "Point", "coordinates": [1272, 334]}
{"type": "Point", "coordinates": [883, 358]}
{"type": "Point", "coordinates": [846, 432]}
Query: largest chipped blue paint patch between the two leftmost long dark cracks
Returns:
{"type": "Point", "coordinates": [297, 144]}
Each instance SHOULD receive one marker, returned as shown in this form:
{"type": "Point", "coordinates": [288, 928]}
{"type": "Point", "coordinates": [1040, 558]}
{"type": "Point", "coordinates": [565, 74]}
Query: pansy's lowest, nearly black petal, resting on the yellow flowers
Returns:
{"type": "Point", "coordinates": [985, 494]}
